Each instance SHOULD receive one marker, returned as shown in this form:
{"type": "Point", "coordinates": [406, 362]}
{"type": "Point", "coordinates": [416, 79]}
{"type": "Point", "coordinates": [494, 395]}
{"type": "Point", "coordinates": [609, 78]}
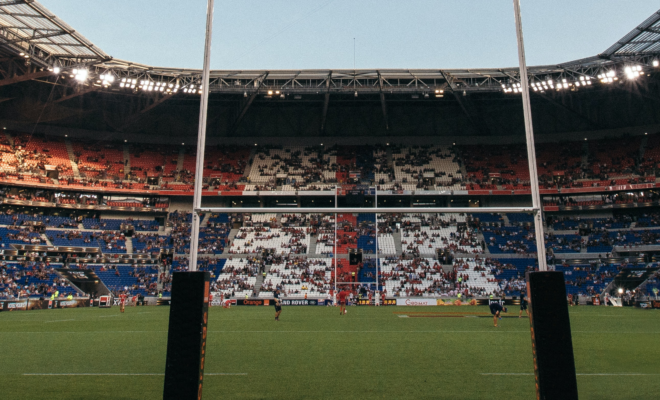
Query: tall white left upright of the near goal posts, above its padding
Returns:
{"type": "Point", "coordinates": [201, 140]}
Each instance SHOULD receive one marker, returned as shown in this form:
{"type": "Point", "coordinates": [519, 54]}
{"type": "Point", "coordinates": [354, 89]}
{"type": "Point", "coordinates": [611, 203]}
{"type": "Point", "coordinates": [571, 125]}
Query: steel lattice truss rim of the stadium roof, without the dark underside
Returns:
{"type": "Point", "coordinates": [28, 27]}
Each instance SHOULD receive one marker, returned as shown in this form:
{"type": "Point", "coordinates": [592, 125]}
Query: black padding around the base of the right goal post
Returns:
{"type": "Point", "coordinates": [552, 346]}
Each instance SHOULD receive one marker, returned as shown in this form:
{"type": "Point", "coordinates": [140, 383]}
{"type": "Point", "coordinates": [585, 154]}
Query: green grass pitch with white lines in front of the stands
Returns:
{"type": "Point", "coordinates": [314, 353]}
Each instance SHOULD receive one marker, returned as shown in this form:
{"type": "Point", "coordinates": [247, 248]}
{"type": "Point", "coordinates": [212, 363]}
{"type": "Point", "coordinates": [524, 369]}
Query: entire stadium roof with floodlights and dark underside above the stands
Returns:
{"type": "Point", "coordinates": [77, 85]}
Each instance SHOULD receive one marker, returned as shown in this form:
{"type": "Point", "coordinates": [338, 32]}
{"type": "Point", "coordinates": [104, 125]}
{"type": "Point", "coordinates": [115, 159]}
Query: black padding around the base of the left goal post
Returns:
{"type": "Point", "coordinates": [186, 339]}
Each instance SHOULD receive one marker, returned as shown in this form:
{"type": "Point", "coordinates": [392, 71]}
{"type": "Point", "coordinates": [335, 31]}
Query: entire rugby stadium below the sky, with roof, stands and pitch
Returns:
{"type": "Point", "coordinates": [406, 195]}
